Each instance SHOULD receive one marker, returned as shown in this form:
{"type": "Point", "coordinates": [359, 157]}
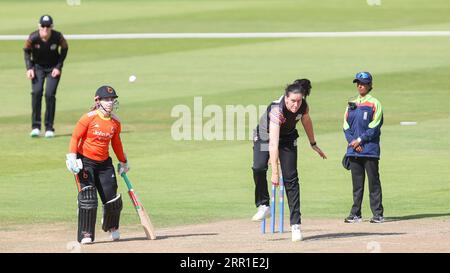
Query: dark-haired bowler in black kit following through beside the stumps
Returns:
{"type": "Point", "coordinates": [275, 138]}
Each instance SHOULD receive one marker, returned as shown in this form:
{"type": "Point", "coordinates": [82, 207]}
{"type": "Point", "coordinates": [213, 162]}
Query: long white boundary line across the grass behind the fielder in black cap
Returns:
{"type": "Point", "coordinates": [242, 35]}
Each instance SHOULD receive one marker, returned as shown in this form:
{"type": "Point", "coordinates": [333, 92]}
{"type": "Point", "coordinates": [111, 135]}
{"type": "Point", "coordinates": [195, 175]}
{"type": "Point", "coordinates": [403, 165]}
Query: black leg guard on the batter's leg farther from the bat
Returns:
{"type": "Point", "coordinates": [87, 212]}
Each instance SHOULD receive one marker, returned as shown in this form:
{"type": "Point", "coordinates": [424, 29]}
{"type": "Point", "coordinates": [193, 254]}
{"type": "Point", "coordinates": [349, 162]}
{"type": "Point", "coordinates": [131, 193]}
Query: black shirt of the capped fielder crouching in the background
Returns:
{"type": "Point", "coordinates": [46, 53]}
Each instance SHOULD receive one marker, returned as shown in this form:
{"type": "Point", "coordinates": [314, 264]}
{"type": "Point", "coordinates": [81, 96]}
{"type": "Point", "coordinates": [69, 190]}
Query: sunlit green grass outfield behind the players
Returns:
{"type": "Point", "coordinates": [184, 182]}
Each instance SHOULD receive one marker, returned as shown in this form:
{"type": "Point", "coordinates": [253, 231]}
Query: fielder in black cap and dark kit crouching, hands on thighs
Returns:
{"type": "Point", "coordinates": [45, 51]}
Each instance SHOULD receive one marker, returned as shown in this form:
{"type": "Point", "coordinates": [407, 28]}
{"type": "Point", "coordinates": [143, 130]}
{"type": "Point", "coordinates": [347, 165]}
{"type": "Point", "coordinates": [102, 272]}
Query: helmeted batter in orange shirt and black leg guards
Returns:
{"type": "Point", "coordinates": [90, 145]}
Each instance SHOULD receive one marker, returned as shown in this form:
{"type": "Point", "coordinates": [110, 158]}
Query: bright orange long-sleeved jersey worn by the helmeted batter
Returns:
{"type": "Point", "coordinates": [92, 136]}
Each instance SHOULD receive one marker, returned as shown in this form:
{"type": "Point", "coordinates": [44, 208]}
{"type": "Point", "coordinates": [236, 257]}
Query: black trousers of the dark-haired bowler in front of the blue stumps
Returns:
{"type": "Point", "coordinates": [288, 162]}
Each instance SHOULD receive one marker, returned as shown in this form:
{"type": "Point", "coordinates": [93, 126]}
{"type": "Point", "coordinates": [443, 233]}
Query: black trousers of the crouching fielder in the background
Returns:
{"type": "Point", "coordinates": [43, 75]}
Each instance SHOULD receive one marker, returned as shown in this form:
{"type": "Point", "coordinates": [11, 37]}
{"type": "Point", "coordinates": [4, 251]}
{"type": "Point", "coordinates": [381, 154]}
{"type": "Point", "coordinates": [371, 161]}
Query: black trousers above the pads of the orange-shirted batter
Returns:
{"type": "Point", "coordinates": [100, 174]}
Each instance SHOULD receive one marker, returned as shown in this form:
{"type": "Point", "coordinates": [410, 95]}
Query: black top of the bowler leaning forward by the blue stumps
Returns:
{"type": "Point", "coordinates": [278, 113]}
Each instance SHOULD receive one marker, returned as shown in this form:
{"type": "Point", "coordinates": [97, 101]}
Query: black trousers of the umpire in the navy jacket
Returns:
{"type": "Point", "coordinates": [359, 166]}
